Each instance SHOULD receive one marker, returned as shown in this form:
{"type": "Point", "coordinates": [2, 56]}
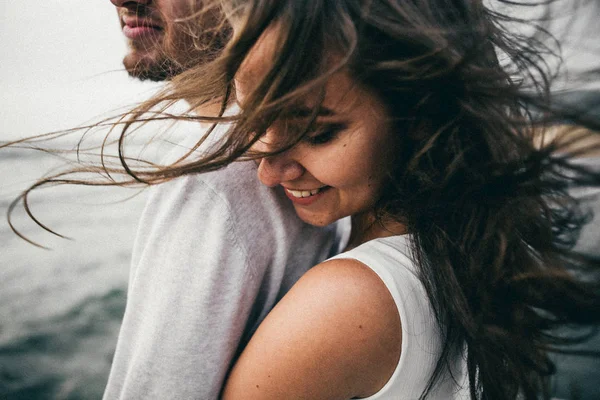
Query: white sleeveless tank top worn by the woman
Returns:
{"type": "Point", "coordinates": [390, 259]}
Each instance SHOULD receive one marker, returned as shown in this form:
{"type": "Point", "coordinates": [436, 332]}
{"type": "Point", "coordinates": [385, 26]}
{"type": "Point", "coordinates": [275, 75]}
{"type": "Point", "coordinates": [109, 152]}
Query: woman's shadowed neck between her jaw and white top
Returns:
{"type": "Point", "coordinates": [367, 227]}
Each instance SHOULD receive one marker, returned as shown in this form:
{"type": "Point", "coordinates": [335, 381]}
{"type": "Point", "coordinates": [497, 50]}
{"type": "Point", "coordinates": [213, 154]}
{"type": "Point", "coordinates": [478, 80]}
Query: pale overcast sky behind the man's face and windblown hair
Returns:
{"type": "Point", "coordinates": [60, 64]}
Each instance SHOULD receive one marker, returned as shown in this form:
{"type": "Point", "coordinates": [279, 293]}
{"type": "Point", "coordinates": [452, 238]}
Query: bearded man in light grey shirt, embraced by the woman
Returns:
{"type": "Point", "coordinates": [214, 252]}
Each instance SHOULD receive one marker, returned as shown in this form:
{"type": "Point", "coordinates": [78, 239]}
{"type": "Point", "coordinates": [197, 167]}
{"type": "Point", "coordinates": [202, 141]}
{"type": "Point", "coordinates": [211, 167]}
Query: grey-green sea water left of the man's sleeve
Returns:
{"type": "Point", "coordinates": [60, 309]}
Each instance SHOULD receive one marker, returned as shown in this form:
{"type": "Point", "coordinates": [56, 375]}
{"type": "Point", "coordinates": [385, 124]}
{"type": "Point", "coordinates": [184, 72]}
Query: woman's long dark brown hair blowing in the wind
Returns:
{"type": "Point", "coordinates": [488, 206]}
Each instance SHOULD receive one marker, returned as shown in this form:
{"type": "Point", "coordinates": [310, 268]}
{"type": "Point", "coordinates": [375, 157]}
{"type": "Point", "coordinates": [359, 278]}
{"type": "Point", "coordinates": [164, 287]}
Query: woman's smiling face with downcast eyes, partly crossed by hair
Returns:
{"type": "Point", "coordinates": [339, 169]}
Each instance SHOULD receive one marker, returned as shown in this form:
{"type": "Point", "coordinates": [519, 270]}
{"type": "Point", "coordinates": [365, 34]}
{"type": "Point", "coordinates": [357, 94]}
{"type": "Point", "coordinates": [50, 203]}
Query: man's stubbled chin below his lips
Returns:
{"type": "Point", "coordinates": [149, 67]}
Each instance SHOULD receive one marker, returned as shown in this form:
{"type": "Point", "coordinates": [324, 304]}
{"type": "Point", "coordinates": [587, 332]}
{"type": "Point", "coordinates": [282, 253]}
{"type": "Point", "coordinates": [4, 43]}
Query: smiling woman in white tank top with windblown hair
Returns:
{"type": "Point", "coordinates": [399, 114]}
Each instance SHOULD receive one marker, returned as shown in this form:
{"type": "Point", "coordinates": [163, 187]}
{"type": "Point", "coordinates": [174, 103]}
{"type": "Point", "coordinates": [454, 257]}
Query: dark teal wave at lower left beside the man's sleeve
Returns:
{"type": "Point", "coordinates": [64, 357]}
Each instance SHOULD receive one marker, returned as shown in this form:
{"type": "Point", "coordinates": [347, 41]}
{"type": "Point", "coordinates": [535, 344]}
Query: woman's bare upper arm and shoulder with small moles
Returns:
{"type": "Point", "coordinates": [335, 335]}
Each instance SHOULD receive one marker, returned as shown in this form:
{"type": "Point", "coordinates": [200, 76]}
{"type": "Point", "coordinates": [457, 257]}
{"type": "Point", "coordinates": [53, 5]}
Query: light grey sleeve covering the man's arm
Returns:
{"type": "Point", "coordinates": [189, 297]}
